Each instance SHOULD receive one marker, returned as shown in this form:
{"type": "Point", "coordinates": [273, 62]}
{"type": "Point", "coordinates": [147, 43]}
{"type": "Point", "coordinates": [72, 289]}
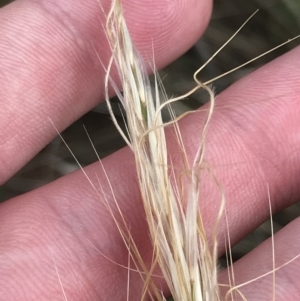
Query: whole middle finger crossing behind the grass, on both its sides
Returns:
{"type": "Point", "coordinates": [61, 220]}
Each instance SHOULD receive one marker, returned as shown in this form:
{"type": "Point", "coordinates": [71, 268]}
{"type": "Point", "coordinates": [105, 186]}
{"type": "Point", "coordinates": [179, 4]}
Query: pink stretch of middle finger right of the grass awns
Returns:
{"type": "Point", "coordinates": [262, 120]}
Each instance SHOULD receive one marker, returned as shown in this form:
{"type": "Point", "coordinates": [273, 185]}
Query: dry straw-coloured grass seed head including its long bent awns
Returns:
{"type": "Point", "coordinates": [186, 256]}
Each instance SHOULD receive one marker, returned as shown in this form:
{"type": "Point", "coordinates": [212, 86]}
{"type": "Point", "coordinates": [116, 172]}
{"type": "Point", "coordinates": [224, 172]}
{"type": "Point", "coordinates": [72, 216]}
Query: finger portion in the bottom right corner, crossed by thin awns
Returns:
{"type": "Point", "coordinates": [259, 262]}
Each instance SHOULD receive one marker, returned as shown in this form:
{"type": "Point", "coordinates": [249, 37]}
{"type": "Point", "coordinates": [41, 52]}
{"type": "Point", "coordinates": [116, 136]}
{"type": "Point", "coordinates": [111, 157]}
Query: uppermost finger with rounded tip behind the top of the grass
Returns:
{"type": "Point", "coordinates": [50, 66]}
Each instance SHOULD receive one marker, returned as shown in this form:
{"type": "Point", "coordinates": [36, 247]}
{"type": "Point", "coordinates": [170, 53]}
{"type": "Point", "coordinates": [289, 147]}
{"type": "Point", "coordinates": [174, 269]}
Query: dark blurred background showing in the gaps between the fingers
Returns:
{"type": "Point", "coordinates": [276, 21]}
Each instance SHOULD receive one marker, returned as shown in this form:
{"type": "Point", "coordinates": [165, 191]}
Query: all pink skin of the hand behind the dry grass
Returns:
{"type": "Point", "coordinates": [58, 235]}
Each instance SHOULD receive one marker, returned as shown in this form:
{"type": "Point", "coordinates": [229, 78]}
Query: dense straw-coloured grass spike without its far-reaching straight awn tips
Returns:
{"type": "Point", "coordinates": [179, 238]}
